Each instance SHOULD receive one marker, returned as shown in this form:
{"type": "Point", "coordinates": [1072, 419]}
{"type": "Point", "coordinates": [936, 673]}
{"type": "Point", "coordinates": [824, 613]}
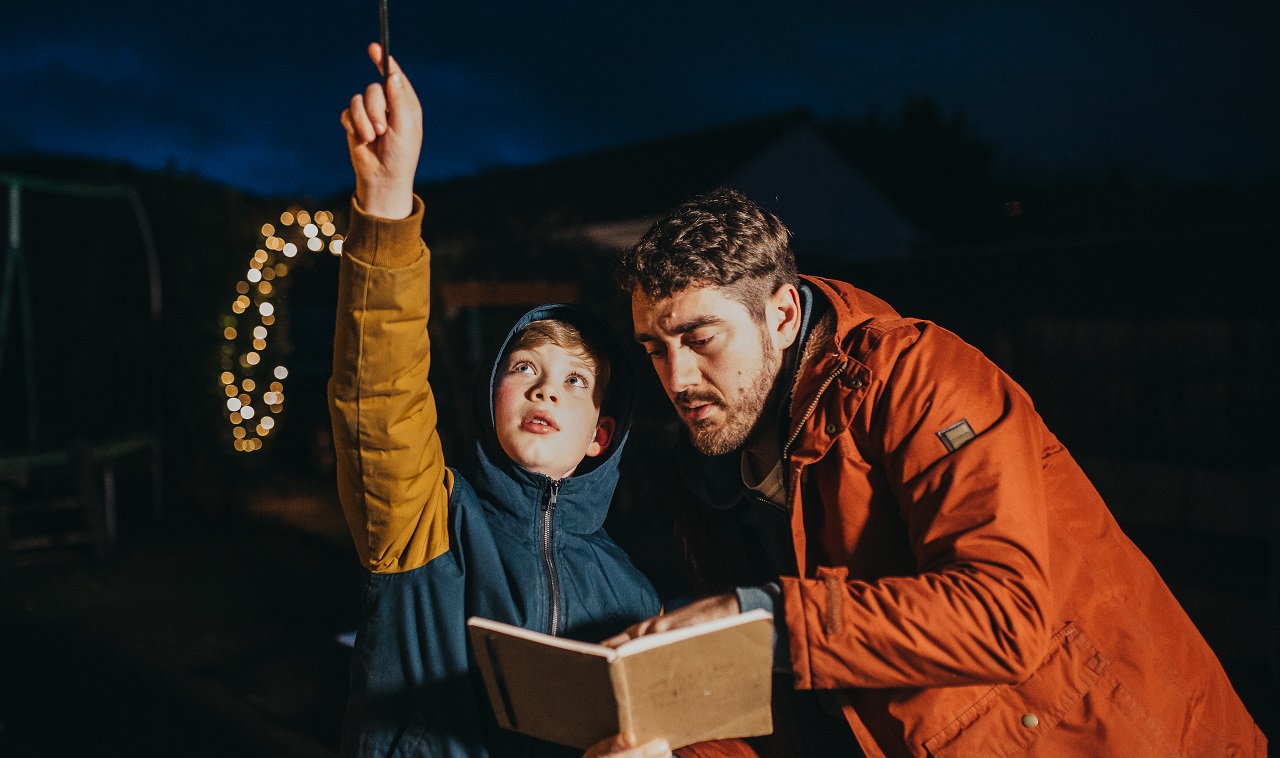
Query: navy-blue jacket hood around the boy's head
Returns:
{"type": "Point", "coordinates": [583, 499]}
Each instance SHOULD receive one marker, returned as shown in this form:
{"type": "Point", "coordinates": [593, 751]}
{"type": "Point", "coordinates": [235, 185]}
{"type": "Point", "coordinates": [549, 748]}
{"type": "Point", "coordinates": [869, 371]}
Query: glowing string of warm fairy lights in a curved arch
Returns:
{"type": "Point", "coordinates": [253, 369]}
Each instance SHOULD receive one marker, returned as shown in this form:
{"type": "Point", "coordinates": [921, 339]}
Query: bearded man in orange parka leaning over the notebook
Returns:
{"type": "Point", "coordinates": [945, 579]}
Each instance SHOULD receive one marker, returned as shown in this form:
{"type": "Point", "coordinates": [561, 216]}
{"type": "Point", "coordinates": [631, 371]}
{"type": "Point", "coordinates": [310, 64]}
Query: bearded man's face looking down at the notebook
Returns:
{"type": "Point", "coordinates": [717, 364]}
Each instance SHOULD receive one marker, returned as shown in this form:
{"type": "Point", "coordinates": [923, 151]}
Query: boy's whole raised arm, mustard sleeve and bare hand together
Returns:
{"type": "Point", "coordinates": [392, 478]}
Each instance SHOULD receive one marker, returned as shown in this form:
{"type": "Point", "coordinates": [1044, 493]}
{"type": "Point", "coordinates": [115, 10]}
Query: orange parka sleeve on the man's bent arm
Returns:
{"type": "Point", "coordinates": [976, 610]}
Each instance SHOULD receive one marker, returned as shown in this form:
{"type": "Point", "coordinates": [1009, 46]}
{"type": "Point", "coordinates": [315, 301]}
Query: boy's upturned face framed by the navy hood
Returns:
{"type": "Point", "coordinates": [547, 410]}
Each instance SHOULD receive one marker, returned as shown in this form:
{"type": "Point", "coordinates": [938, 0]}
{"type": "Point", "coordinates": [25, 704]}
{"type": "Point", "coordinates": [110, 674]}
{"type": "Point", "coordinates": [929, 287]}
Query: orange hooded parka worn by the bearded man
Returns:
{"type": "Point", "coordinates": [962, 588]}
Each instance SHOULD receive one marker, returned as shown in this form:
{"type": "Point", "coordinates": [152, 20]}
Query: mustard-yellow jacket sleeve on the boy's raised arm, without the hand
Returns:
{"type": "Point", "coordinates": [392, 478]}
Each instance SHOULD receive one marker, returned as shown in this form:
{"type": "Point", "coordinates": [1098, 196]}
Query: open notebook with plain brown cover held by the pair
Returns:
{"type": "Point", "coordinates": [687, 686]}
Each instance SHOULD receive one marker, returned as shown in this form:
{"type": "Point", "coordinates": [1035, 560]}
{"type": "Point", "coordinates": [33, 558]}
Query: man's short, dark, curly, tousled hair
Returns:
{"type": "Point", "coordinates": [720, 239]}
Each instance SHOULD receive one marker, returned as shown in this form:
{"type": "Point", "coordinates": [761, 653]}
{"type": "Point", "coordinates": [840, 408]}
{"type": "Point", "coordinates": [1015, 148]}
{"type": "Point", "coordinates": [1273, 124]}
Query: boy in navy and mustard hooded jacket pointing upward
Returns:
{"type": "Point", "coordinates": [520, 538]}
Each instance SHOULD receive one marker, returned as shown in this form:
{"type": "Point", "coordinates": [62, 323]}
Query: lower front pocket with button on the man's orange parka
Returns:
{"type": "Point", "coordinates": [1009, 719]}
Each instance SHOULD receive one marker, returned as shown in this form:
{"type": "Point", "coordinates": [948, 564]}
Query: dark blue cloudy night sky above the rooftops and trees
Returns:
{"type": "Point", "coordinates": [249, 93]}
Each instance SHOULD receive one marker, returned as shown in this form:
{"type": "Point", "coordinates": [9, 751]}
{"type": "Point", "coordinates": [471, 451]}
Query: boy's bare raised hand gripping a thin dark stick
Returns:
{"type": "Point", "coordinates": [385, 135]}
